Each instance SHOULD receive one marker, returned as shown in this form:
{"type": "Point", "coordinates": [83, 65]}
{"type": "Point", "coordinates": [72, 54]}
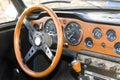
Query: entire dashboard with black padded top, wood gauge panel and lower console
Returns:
{"type": "Point", "coordinates": [94, 36]}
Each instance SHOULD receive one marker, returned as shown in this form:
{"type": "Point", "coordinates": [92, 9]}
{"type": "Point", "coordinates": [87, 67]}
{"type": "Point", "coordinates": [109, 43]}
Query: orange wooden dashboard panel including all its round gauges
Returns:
{"type": "Point", "coordinates": [81, 35]}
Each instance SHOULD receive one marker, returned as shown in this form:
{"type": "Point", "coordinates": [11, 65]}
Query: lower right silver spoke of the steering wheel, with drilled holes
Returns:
{"type": "Point", "coordinates": [47, 51]}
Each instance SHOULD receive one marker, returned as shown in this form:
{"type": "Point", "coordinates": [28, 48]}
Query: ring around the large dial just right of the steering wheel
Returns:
{"type": "Point", "coordinates": [80, 37]}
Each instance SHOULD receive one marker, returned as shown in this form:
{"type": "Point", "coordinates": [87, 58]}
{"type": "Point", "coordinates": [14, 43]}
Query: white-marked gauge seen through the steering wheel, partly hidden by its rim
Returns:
{"type": "Point", "coordinates": [50, 27]}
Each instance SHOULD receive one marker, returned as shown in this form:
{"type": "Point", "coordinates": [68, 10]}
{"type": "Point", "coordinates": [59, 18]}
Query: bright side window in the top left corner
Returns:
{"type": "Point", "coordinates": [7, 11]}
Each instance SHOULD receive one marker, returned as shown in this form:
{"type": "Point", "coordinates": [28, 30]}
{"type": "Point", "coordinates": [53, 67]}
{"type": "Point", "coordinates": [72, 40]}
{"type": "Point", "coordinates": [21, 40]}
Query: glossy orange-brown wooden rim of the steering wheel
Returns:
{"type": "Point", "coordinates": [18, 53]}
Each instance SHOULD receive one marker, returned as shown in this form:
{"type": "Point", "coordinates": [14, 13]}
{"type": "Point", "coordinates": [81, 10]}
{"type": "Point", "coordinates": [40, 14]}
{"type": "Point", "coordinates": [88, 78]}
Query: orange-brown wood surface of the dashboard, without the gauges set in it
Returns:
{"type": "Point", "coordinates": [87, 29]}
